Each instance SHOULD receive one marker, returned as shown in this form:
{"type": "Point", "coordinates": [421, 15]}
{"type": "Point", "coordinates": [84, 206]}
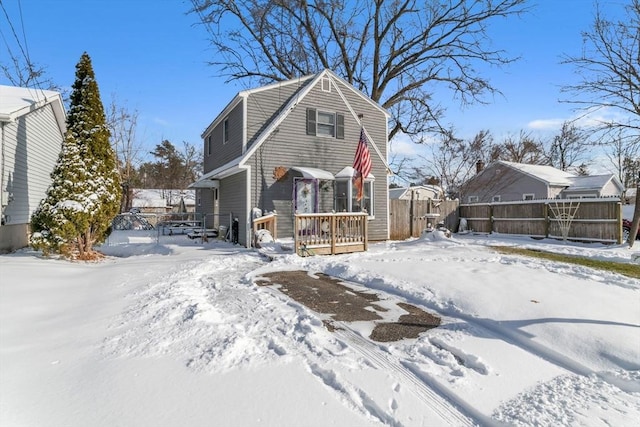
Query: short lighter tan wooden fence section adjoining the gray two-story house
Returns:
{"type": "Point", "coordinates": [408, 218]}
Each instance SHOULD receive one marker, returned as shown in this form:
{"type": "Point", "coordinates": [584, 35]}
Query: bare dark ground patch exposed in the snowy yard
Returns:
{"type": "Point", "coordinates": [325, 294]}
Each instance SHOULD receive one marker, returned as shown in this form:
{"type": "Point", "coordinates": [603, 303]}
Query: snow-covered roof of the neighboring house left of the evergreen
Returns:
{"type": "Point", "coordinates": [18, 101]}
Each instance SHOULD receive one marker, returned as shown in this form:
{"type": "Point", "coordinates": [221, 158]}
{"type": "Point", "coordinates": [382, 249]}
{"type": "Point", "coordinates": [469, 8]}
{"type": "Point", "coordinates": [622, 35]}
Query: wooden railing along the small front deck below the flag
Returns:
{"type": "Point", "coordinates": [330, 233]}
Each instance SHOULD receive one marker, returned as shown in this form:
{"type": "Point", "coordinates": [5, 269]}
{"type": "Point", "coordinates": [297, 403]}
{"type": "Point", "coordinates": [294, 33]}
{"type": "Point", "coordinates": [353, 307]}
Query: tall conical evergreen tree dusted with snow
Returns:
{"type": "Point", "coordinates": [85, 193]}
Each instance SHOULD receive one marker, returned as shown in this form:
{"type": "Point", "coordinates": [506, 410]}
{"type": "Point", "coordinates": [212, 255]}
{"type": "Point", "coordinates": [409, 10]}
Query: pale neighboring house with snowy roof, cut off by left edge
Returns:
{"type": "Point", "coordinates": [32, 128]}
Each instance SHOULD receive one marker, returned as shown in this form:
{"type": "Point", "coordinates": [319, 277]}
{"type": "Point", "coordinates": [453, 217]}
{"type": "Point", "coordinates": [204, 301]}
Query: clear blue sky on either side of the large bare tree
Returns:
{"type": "Point", "coordinates": [152, 56]}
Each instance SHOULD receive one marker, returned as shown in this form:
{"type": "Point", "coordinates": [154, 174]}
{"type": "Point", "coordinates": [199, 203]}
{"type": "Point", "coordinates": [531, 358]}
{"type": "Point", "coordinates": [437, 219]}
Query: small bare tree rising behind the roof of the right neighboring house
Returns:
{"type": "Point", "coordinates": [567, 148]}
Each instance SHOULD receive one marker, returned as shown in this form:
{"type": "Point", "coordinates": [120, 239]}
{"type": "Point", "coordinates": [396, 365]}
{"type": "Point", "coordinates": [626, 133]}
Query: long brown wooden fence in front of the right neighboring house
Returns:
{"type": "Point", "coordinates": [597, 220]}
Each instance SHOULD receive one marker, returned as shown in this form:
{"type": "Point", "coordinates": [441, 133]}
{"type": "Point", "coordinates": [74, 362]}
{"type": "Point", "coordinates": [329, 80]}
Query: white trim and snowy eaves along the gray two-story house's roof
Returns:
{"type": "Point", "coordinates": [311, 81]}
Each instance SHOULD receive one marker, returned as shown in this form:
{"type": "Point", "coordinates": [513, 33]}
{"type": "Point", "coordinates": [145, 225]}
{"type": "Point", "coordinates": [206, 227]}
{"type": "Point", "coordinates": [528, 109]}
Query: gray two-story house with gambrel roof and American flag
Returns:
{"type": "Point", "coordinates": [289, 147]}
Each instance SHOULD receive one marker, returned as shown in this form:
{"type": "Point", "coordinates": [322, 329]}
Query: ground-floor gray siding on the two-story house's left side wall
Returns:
{"type": "Point", "coordinates": [233, 196]}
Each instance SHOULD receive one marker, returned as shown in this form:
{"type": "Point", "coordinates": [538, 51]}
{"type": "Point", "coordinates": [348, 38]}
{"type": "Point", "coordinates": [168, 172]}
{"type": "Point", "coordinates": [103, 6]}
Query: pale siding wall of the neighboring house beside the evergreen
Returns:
{"type": "Point", "coordinates": [32, 145]}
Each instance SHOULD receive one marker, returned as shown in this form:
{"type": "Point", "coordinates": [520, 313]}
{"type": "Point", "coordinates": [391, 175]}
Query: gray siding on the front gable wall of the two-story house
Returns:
{"type": "Point", "coordinates": [291, 146]}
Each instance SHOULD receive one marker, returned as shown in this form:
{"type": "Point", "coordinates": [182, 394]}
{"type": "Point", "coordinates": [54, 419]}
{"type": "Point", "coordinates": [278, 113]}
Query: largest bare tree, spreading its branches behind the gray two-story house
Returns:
{"type": "Point", "coordinates": [398, 52]}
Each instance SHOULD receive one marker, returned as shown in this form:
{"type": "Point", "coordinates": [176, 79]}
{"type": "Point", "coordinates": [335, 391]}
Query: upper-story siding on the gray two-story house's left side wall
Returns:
{"type": "Point", "coordinates": [221, 152]}
